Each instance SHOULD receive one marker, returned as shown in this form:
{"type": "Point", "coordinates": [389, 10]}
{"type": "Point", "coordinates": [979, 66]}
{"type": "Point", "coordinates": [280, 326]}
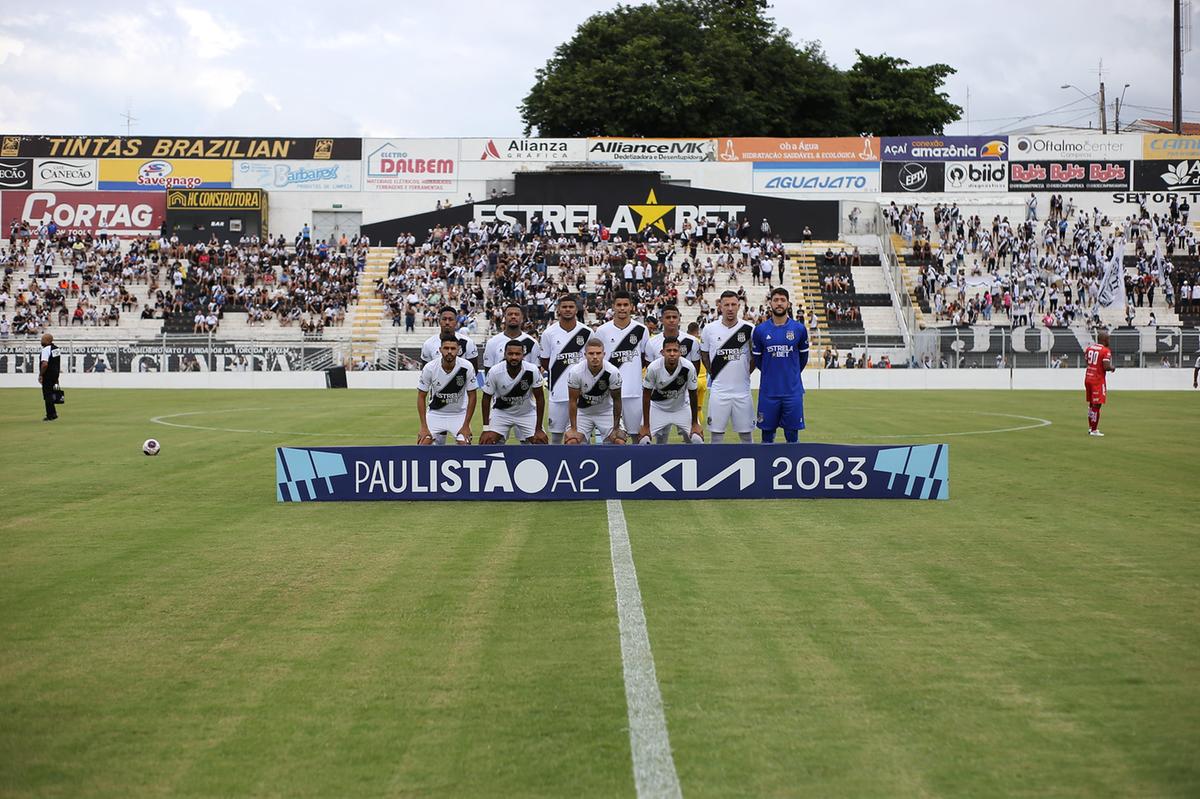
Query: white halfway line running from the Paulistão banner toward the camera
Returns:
{"type": "Point", "coordinates": [655, 773]}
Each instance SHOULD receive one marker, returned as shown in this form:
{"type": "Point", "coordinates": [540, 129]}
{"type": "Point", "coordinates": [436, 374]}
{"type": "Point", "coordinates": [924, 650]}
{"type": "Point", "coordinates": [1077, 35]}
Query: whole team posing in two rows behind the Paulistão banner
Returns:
{"type": "Point", "coordinates": [617, 383]}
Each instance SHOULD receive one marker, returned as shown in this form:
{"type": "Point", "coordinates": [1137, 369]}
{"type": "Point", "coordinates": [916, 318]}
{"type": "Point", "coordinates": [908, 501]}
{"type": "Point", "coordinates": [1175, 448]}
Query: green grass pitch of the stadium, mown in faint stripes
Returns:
{"type": "Point", "coordinates": [167, 629]}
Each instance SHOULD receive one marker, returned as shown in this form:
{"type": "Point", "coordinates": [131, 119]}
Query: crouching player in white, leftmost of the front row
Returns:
{"type": "Point", "coordinates": [446, 397]}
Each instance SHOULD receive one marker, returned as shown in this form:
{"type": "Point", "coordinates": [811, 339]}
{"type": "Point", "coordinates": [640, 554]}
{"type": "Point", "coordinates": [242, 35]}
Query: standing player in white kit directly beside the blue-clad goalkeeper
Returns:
{"type": "Point", "coordinates": [725, 351]}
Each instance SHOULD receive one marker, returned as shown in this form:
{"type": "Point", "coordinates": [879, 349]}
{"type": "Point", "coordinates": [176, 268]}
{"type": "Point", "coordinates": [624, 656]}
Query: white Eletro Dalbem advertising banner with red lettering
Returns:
{"type": "Point", "coordinates": [411, 166]}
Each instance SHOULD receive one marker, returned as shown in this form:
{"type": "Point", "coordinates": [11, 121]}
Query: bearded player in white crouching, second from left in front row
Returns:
{"type": "Point", "coordinates": [514, 400]}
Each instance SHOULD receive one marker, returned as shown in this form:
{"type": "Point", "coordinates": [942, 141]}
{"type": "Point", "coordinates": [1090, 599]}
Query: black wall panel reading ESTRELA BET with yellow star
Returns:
{"type": "Point", "coordinates": [628, 203]}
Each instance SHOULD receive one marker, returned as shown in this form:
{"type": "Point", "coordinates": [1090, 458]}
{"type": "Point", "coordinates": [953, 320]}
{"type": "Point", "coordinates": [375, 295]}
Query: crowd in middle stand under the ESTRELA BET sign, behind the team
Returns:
{"type": "Point", "coordinates": [478, 269]}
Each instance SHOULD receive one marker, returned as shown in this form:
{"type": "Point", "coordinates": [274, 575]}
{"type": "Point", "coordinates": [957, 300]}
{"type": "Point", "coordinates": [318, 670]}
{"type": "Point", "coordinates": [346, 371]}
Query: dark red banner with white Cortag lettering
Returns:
{"type": "Point", "coordinates": [124, 214]}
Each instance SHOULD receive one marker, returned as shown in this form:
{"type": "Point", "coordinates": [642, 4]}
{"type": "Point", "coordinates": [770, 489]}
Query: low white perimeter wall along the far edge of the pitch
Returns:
{"type": "Point", "coordinates": [1179, 380]}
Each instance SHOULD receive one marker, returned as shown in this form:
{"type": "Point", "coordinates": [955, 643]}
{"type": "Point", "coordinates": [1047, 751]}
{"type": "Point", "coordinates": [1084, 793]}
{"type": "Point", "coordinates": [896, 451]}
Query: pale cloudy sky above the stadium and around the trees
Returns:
{"type": "Point", "coordinates": [461, 69]}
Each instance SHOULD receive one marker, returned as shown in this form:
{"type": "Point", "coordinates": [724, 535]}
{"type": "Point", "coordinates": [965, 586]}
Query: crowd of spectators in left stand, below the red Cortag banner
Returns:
{"type": "Point", "coordinates": [58, 278]}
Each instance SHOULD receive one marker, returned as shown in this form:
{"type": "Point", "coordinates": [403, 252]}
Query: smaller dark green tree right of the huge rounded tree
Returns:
{"type": "Point", "coordinates": [891, 98]}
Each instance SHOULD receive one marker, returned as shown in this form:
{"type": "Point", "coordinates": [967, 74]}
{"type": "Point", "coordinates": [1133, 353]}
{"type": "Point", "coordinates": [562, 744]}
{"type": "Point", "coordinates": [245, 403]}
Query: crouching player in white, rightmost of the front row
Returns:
{"type": "Point", "coordinates": [669, 398]}
